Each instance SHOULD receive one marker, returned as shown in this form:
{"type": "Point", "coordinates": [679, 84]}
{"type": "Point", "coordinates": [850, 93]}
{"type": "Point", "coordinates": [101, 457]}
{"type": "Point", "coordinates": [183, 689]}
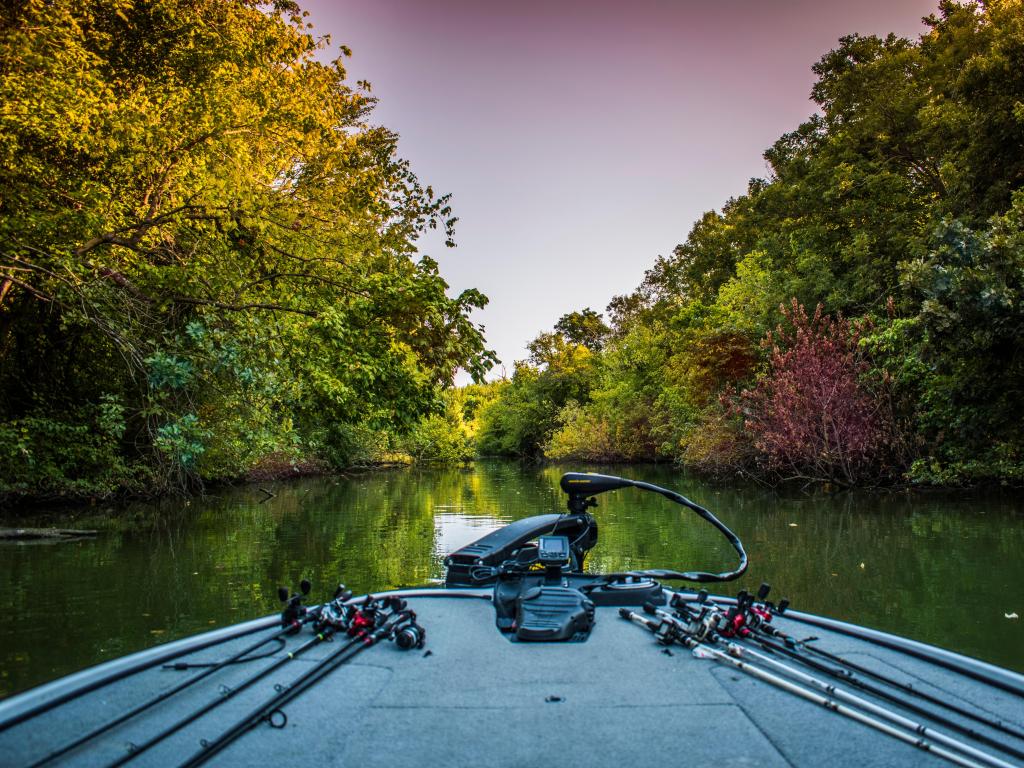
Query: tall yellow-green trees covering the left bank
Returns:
{"type": "Point", "coordinates": [207, 253]}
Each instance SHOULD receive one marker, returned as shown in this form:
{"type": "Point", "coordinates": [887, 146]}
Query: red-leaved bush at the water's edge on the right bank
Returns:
{"type": "Point", "coordinates": [810, 416]}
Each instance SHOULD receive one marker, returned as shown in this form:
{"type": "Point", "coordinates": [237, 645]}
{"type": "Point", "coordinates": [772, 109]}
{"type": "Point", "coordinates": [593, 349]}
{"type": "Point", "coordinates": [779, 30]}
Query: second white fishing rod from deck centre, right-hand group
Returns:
{"type": "Point", "coordinates": [735, 650]}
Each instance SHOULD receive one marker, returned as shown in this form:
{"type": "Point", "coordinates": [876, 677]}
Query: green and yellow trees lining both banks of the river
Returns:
{"type": "Point", "coordinates": [208, 270]}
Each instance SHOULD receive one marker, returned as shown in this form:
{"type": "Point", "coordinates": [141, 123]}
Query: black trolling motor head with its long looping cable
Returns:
{"type": "Point", "coordinates": [582, 487]}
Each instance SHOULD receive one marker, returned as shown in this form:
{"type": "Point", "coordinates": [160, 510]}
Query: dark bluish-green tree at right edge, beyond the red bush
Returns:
{"type": "Point", "coordinates": [969, 330]}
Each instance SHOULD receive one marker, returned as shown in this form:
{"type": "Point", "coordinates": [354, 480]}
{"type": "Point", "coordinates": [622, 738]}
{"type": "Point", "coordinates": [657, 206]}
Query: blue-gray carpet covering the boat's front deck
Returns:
{"type": "Point", "coordinates": [478, 700]}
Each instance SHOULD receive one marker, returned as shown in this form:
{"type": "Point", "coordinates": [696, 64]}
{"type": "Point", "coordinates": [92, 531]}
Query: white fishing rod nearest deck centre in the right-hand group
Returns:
{"type": "Point", "coordinates": [701, 651]}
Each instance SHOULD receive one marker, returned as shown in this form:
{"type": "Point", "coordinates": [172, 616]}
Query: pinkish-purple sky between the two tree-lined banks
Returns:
{"type": "Point", "coordinates": [582, 140]}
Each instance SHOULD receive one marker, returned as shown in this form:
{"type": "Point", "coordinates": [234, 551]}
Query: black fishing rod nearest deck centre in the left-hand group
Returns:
{"type": "Point", "coordinates": [401, 626]}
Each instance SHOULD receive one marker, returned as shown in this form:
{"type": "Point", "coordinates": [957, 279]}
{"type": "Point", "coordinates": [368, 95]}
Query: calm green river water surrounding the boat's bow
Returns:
{"type": "Point", "coordinates": [943, 569]}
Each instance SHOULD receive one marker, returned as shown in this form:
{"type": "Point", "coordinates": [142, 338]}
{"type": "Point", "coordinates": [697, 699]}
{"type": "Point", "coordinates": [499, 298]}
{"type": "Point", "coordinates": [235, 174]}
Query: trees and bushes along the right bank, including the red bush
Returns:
{"type": "Point", "coordinates": [857, 317]}
